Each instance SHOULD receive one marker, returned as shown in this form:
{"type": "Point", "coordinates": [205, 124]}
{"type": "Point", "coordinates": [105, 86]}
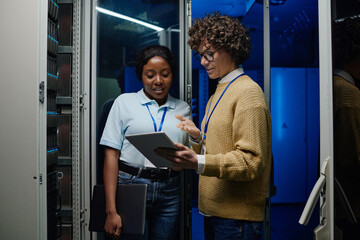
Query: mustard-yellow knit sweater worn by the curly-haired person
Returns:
{"type": "Point", "coordinates": [235, 180]}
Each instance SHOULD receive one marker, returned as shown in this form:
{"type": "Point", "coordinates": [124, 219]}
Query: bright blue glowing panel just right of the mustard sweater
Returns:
{"type": "Point", "coordinates": [289, 117]}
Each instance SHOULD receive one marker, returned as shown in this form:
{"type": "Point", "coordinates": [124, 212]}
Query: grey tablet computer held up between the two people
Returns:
{"type": "Point", "coordinates": [146, 144]}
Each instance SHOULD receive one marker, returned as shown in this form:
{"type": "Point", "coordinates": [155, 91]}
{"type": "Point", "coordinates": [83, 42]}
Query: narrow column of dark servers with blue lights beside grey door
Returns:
{"type": "Point", "coordinates": [52, 151]}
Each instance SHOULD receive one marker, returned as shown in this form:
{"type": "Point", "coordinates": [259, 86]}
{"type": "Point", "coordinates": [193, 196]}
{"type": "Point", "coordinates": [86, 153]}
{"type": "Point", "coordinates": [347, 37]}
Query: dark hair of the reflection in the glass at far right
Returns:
{"type": "Point", "coordinates": [345, 41]}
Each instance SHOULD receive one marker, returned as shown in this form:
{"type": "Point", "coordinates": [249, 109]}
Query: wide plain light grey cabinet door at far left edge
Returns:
{"type": "Point", "coordinates": [23, 110]}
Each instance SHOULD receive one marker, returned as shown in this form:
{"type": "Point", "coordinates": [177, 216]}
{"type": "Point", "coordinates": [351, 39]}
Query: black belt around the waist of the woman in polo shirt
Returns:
{"type": "Point", "coordinates": [154, 174]}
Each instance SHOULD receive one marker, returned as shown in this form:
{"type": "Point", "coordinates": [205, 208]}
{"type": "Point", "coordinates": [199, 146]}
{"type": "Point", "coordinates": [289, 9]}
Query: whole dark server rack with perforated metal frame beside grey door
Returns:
{"type": "Point", "coordinates": [65, 213]}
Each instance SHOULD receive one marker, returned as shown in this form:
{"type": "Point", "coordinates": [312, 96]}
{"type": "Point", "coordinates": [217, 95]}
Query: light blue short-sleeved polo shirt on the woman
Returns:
{"type": "Point", "coordinates": [129, 115]}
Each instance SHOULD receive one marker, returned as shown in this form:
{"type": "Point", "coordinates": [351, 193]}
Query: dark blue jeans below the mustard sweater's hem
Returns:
{"type": "Point", "coordinates": [216, 228]}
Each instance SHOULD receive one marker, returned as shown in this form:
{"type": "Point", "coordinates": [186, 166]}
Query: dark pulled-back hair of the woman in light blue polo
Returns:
{"type": "Point", "coordinates": [154, 51]}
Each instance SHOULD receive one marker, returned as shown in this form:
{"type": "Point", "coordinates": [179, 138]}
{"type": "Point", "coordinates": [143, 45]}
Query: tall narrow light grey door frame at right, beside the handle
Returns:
{"type": "Point", "coordinates": [326, 226]}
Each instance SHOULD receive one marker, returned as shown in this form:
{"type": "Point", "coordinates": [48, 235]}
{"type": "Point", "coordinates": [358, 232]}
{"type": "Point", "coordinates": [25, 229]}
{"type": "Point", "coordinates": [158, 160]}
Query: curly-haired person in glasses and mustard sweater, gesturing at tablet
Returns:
{"type": "Point", "coordinates": [232, 151]}
